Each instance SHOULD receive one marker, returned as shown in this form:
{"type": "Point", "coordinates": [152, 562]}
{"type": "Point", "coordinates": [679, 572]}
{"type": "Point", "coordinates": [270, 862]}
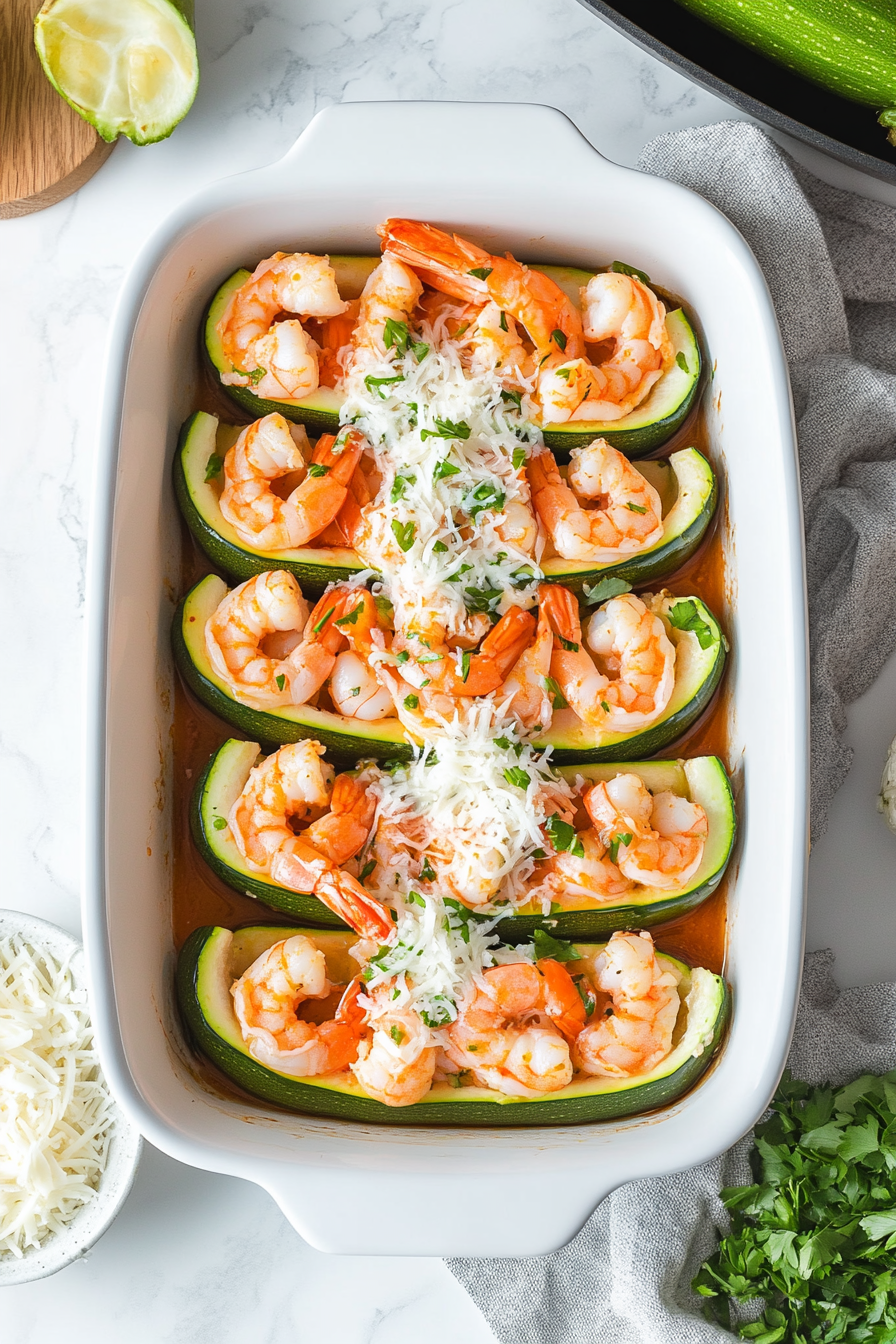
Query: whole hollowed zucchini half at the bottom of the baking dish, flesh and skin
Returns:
{"type": "Point", "coordinates": [214, 958]}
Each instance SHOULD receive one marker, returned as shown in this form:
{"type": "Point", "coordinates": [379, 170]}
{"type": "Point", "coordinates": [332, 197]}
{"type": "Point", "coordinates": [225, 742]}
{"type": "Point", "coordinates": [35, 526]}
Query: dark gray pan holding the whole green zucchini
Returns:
{"type": "Point", "coordinates": [762, 89]}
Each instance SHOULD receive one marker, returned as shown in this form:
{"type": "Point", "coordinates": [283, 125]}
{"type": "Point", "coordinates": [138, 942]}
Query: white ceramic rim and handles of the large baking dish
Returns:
{"type": "Point", "coordinates": [332, 1167]}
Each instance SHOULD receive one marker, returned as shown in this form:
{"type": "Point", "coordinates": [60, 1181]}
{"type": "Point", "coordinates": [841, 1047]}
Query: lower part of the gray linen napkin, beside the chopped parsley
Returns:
{"type": "Point", "coordinates": [627, 1277]}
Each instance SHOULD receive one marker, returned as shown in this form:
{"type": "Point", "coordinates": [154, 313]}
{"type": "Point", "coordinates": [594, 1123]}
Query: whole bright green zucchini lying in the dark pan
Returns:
{"type": "Point", "coordinates": [846, 46]}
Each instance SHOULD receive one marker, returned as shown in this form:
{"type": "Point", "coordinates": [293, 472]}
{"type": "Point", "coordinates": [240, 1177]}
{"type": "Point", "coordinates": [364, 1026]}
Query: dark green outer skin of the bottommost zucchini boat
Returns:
{"type": "Point", "coordinates": [199, 962]}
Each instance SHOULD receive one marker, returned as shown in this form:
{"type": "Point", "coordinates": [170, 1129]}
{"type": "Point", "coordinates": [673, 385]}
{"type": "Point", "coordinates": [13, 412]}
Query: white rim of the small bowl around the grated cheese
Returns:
{"type": "Point", "coordinates": [93, 1220]}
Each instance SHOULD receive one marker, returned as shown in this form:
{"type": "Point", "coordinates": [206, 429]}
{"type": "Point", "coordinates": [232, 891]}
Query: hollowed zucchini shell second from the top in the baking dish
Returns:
{"type": "Point", "coordinates": [686, 483]}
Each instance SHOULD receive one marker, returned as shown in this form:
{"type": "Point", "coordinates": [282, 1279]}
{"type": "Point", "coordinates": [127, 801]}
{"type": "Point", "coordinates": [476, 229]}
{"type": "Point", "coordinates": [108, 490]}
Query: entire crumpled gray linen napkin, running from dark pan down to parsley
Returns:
{"type": "Point", "coordinates": [831, 263]}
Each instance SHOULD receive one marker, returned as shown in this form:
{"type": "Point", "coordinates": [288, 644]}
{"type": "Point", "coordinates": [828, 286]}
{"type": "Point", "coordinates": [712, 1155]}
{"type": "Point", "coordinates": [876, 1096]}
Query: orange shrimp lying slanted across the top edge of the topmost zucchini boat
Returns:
{"type": "Point", "coordinates": [457, 267]}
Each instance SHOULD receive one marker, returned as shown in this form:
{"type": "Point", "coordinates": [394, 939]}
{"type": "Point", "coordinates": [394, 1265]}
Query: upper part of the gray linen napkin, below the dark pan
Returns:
{"type": "Point", "coordinates": [831, 263]}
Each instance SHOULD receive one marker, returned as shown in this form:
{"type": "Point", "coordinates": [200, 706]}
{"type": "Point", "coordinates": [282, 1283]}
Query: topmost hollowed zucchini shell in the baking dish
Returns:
{"type": "Point", "coordinates": [645, 429]}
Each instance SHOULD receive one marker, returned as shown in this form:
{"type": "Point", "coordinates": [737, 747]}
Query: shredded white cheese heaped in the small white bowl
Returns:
{"type": "Point", "coordinates": [56, 1114]}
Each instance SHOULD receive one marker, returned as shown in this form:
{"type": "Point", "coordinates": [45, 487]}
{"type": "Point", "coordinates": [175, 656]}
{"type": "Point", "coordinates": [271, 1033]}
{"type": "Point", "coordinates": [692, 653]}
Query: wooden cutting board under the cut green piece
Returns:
{"type": "Point", "coordinates": [46, 150]}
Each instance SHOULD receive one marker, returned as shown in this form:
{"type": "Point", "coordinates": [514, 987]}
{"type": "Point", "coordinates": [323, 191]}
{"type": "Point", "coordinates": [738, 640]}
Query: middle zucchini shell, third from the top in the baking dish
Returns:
{"type": "Point", "coordinates": [698, 675]}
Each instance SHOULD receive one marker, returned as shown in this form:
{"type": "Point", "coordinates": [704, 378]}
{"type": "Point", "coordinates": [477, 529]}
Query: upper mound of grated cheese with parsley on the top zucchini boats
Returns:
{"type": "Point", "coordinates": [457, 503]}
